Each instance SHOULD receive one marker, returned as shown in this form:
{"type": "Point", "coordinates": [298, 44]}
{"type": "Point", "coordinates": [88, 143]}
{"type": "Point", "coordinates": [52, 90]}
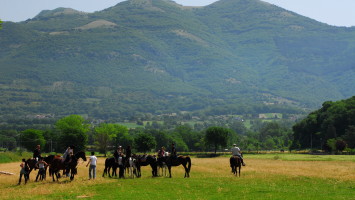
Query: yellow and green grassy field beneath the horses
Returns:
{"type": "Point", "coordinates": [287, 176]}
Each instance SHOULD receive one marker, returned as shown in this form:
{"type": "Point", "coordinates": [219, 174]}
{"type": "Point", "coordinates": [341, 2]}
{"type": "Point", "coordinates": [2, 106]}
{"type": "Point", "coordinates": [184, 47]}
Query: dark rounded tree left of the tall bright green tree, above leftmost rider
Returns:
{"type": "Point", "coordinates": [30, 138]}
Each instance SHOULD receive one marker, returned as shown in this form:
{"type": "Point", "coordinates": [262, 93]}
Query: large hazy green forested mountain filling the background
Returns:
{"type": "Point", "coordinates": [156, 56]}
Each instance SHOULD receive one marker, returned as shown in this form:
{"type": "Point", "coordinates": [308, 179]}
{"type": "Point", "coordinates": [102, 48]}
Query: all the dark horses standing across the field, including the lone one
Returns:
{"type": "Point", "coordinates": [131, 166]}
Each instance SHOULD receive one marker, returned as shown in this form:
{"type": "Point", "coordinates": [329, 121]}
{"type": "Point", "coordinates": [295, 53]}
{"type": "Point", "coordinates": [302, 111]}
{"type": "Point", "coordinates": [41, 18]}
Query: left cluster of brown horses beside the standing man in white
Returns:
{"type": "Point", "coordinates": [56, 164]}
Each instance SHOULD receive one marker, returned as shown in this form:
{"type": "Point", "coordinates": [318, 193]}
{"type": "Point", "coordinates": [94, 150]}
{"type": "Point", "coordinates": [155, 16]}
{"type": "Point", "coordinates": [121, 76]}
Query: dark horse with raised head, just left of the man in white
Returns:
{"type": "Point", "coordinates": [58, 164]}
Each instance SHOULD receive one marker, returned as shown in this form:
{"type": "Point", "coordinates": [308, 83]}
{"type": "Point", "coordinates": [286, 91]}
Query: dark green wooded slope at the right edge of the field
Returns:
{"type": "Point", "coordinates": [331, 128]}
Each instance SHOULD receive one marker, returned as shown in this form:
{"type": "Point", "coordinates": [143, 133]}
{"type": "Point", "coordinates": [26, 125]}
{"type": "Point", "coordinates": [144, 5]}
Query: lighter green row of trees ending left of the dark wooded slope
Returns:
{"type": "Point", "coordinates": [105, 137]}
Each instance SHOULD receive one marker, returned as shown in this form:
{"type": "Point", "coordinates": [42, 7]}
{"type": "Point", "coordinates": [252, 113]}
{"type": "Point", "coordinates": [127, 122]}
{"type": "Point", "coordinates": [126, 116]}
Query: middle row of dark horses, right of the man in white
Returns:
{"type": "Point", "coordinates": [132, 165]}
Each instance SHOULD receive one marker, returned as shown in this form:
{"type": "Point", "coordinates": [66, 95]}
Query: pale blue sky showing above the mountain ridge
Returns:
{"type": "Point", "coordinates": [332, 12]}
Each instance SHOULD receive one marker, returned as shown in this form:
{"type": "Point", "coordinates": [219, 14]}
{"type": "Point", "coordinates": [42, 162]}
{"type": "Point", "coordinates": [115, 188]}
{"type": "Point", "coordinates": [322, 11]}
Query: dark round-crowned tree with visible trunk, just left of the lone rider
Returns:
{"type": "Point", "coordinates": [217, 136]}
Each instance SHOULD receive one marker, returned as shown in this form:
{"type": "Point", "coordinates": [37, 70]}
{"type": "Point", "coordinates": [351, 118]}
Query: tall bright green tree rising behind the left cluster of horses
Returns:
{"type": "Point", "coordinates": [72, 131]}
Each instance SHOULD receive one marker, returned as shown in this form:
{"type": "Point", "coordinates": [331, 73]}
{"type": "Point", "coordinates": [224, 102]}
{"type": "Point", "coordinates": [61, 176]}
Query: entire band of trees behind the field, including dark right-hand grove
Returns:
{"type": "Point", "coordinates": [331, 128]}
